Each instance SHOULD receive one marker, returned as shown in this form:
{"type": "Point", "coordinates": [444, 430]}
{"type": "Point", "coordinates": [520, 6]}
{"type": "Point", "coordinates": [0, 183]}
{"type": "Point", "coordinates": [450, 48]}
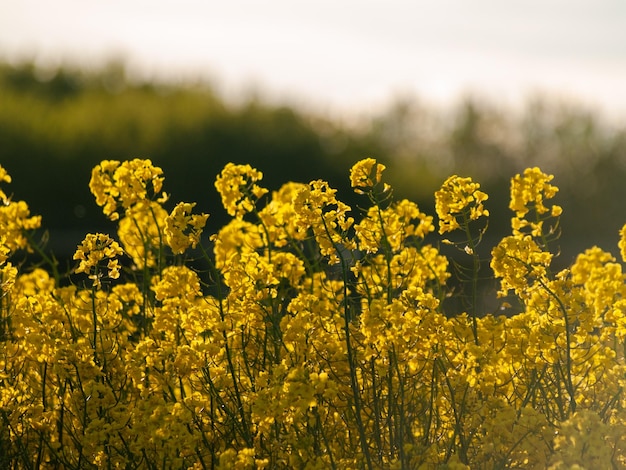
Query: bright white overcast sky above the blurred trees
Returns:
{"type": "Point", "coordinates": [343, 55]}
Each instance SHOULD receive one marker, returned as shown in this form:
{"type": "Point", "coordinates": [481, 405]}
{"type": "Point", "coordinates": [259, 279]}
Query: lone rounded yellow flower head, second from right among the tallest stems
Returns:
{"type": "Point", "coordinates": [459, 198]}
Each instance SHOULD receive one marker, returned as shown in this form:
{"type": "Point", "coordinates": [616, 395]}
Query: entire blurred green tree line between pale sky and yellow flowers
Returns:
{"type": "Point", "coordinates": [55, 125]}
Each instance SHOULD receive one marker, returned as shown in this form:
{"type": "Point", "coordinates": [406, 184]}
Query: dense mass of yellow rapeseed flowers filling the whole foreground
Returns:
{"type": "Point", "coordinates": [308, 335]}
